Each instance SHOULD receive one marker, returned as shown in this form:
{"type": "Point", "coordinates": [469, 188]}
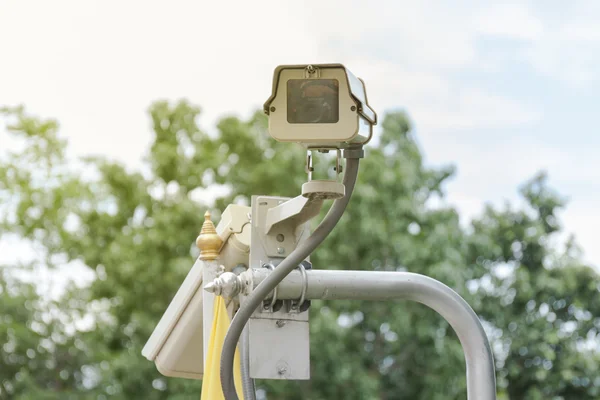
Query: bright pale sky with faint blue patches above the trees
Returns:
{"type": "Point", "coordinates": [501, 91]}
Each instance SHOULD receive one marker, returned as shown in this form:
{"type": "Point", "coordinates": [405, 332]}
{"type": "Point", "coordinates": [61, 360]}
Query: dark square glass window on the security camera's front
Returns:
{"type": "Point", "coordinates": [313, 101]}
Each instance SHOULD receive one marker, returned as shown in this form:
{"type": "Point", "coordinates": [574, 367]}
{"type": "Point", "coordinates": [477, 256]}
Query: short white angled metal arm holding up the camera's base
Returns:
{"type": "Point", "coordinates": [299, 210]}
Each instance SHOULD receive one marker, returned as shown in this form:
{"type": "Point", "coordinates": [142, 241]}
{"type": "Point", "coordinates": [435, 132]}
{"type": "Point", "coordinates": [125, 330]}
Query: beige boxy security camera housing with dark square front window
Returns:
{"type": "Point", "coordinates": [319, 106]}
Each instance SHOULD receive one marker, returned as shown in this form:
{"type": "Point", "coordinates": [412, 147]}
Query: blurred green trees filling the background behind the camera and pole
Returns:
{"type": "Point", "coordinates": [135, 229]}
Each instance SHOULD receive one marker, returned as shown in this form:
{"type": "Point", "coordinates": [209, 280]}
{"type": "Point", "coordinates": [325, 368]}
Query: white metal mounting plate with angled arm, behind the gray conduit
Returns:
{"type": "Point", "coordinates": [278, 335]}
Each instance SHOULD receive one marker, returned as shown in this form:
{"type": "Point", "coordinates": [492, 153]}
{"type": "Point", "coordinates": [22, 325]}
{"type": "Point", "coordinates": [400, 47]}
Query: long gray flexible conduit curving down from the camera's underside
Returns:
{"type": "Point", "coordinates": [286, 266]}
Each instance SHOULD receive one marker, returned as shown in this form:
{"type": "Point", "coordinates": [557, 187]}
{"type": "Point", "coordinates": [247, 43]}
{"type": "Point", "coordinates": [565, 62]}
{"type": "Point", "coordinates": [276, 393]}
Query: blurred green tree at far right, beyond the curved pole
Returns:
{"type": "Point", "coordinates": [543, 303]}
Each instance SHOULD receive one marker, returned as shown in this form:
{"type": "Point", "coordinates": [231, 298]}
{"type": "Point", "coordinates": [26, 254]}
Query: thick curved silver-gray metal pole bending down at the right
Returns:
{"type": "Point", "coordinates": [373, 285]}
